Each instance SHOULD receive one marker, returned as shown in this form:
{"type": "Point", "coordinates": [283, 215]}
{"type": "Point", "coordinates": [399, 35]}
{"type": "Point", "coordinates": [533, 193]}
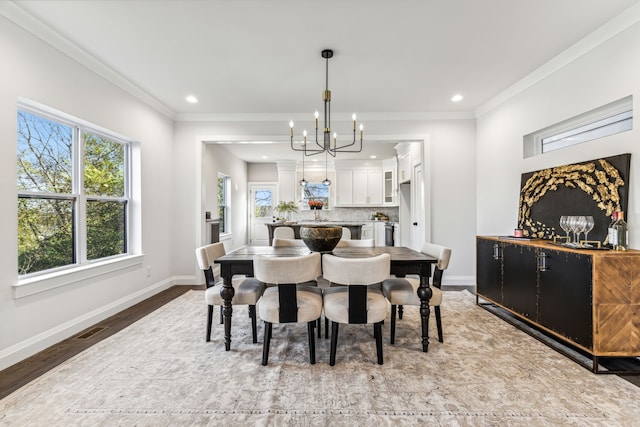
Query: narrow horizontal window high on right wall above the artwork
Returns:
{"type": "Point", "coordinates": [604, 121]}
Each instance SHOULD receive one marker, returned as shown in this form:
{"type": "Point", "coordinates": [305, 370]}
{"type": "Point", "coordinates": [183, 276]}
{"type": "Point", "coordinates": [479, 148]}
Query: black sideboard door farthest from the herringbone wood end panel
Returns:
{"type": "Point", "coordinates": [489, 269]}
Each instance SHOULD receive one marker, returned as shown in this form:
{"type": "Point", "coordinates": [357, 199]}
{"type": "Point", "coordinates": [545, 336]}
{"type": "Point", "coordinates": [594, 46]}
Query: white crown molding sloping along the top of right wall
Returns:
{"type": "Point", "coordinates": [615, 26]}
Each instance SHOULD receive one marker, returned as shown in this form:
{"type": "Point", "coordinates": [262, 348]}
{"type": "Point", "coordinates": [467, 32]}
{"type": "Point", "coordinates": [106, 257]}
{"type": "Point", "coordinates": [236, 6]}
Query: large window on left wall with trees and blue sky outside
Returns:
{"type": "Point", "coordinates": [73, 192]}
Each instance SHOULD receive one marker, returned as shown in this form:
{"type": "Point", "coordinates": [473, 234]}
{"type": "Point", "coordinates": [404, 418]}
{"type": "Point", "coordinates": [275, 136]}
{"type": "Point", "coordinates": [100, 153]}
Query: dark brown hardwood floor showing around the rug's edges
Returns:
{"type": "Point", "coordinates": [29, 369]}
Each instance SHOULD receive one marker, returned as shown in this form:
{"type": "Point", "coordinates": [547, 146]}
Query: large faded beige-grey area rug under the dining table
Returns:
{"type": "Point", "coordinates": [160, 372]}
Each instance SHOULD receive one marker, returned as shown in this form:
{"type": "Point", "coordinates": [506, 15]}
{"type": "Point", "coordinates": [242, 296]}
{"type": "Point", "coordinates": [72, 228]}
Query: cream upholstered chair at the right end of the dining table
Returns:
{"type": "Point", "coordinates": [403, 291]}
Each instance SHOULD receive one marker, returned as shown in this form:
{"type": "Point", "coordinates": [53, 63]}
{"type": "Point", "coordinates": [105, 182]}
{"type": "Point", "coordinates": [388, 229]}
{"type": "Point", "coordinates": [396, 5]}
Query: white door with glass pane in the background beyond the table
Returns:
{"type": "Point", "coordinates": [262, 201]}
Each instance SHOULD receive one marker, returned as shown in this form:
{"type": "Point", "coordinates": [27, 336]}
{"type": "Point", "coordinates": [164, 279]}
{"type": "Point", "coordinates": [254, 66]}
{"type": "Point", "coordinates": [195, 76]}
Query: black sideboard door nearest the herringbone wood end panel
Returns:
{"type": "Point", "coordinates": [565, 296]}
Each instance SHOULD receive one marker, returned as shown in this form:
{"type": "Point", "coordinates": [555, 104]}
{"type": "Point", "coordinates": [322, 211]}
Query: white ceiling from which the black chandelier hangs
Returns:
{"type": "Point", "coordinates": [260, 60]}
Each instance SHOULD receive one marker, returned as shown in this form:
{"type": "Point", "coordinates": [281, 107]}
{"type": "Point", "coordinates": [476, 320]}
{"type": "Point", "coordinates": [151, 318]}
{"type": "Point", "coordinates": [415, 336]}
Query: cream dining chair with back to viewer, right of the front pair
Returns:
{"type": "Point", "coordinates": [358, 302]}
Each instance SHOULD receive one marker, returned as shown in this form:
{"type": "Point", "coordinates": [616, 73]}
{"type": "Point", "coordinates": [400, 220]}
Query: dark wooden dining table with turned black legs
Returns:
{"type": "Point", "coordinates": [403, 261]}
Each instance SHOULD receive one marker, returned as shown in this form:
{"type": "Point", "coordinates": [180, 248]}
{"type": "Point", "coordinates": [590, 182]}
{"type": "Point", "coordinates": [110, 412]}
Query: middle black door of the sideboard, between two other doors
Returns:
{"type": "Point", "coordinates": [519, 280]}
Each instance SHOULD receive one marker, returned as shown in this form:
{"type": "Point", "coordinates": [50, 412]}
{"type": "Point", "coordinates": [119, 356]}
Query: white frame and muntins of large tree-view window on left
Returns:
{"type": "Point", "coordinates": [80, 197]}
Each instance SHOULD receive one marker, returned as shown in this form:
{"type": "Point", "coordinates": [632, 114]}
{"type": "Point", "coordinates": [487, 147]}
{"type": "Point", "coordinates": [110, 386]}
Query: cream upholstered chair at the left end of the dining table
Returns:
{"type": "Point", "coordinates": [247, 290]}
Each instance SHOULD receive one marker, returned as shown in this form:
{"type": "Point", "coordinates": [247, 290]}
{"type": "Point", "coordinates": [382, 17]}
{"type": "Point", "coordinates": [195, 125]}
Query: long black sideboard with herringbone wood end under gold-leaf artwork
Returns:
{"type": "Point", "coordinates": [587, 298]}
